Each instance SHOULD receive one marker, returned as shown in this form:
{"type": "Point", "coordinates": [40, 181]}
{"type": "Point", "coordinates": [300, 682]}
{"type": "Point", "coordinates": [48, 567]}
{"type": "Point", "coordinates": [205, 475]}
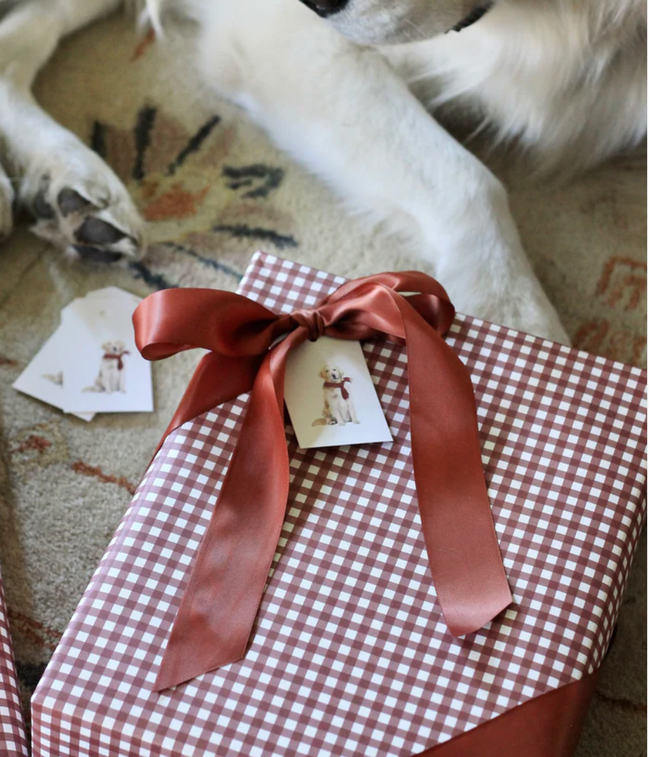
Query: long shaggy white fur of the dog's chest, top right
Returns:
{"type": "Point", "coordinates": [565, 78]}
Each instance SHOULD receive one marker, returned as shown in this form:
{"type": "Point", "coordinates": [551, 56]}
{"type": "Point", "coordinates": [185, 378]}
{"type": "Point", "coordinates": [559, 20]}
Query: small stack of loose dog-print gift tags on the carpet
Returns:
{"type": "Point", "coordinates": [91, 364]}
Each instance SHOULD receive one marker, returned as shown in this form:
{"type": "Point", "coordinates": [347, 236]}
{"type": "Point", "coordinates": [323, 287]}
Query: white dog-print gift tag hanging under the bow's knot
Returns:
{"type": "Point", "coordinates": [330, 396]}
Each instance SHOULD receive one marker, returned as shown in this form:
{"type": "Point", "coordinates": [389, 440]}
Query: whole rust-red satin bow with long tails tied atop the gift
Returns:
{"type": "Point", "coordinates": [222, 597]}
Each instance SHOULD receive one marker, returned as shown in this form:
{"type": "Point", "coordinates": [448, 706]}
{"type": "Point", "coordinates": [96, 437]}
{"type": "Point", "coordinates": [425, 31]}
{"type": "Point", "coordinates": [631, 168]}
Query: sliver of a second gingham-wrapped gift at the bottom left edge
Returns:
{"type": "Point", "coordinates": [13, 742]}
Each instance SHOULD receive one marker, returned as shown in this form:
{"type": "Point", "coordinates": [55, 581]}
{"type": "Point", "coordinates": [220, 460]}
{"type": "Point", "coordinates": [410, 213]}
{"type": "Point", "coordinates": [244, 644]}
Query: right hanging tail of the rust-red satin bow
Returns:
{"type": "Point", "coordinates": [464, 555]}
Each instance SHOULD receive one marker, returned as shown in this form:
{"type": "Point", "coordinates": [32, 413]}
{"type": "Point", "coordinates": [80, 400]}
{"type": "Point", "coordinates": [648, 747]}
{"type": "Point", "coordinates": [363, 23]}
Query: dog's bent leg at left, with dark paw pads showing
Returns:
{"type": "Point", "coordinates": [79, 204]}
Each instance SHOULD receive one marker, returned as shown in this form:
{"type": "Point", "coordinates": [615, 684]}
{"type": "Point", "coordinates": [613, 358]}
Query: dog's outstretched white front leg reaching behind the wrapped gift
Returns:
{"type": "Point", "coordinates": [344, 112]}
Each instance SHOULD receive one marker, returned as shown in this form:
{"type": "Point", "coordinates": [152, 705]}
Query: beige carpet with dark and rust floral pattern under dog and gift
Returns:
{"type": "Point", "coordinates": [214, 191]}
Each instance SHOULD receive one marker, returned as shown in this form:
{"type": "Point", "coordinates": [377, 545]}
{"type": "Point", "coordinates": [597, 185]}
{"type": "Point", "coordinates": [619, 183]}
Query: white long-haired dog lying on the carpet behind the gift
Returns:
{"type": "Point", "coordinates": [348, 87]}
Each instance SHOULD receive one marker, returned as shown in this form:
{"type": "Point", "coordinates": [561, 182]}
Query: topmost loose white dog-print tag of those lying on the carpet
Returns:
{"type": "Point", "coordinates": [104, 371]}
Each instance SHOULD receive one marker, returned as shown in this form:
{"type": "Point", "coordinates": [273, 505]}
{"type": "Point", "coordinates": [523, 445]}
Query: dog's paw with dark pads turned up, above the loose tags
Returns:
{"type": "Point", "coordinates": [81, 207]}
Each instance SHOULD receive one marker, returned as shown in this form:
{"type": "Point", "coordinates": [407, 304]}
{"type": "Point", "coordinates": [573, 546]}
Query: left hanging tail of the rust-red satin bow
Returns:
{"type": "Point", "coordinates": [221, 601]}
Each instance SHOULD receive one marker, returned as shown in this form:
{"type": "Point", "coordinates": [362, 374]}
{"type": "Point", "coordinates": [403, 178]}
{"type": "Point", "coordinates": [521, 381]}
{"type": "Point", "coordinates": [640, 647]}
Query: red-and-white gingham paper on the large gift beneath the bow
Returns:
{"type": "Point", "coordinates": [350, 655]}
